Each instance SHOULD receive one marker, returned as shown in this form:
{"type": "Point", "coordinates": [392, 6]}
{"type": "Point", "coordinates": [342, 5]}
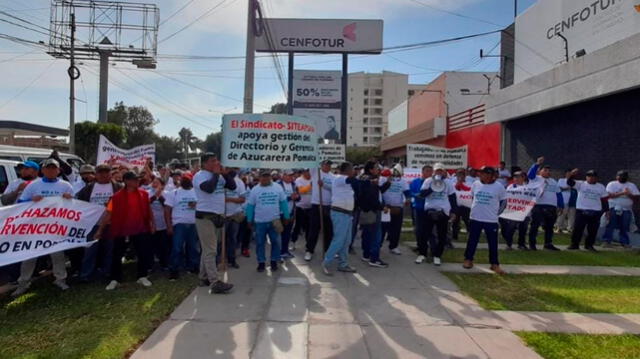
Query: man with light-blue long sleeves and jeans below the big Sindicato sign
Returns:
{"type": "Point", "coordinates": [265, 204]}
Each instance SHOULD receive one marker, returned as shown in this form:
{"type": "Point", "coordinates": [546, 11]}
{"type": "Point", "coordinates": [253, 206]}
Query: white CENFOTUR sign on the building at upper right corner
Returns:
{"type": "Point", "coordinates": [587, 24]}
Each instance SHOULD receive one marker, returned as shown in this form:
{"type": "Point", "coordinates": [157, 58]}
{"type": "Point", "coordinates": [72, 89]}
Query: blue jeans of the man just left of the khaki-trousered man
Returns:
{"type": "Point", "coordinates": [185, 236]}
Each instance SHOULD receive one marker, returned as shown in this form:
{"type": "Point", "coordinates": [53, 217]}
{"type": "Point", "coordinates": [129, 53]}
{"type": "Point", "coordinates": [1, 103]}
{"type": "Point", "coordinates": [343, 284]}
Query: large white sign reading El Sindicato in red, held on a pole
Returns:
{"type": "Point", "coordinates": [269, 141]}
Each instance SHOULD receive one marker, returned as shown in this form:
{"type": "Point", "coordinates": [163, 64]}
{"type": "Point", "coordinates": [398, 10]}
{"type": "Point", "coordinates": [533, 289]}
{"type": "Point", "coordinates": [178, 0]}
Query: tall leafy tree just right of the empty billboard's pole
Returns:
{"type": "Point", "coordinates": [137, 121]}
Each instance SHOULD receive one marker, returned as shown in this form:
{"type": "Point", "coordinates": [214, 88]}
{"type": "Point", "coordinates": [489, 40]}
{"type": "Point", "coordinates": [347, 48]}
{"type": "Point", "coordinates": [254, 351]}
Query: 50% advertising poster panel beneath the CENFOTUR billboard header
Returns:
{"type": "Point", "coordinates": [317, 95]}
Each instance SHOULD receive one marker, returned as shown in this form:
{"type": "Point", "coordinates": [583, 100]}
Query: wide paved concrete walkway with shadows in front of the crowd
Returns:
{"type": "Point", "coordinates": [404, 311]}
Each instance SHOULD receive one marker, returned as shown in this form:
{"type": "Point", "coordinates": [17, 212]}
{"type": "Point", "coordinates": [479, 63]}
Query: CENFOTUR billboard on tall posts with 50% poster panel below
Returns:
{"type": "Point", "coordinates": [320, 94]}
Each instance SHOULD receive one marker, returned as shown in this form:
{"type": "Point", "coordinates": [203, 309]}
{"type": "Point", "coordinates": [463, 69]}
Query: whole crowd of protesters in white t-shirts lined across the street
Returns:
{"type": "Point", "coordinates": [172, 218]}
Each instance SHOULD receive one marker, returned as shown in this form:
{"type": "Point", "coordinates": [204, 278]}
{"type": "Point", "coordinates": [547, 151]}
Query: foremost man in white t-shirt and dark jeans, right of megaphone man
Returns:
{"type": "Point", "coordinates": [487, 194]}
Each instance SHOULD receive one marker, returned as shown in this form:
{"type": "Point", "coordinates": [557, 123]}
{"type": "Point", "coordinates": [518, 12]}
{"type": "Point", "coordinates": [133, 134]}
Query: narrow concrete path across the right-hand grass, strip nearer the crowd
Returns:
{"type": "Point", "coordinates": [543, 269]}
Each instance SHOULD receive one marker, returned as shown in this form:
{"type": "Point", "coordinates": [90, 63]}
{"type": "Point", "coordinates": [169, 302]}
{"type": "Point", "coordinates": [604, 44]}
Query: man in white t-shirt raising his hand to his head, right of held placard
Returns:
{"type": "Point", "coordinates": [545, 212]}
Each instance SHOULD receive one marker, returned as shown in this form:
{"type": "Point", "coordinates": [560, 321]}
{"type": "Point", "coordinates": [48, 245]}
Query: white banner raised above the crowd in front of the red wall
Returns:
{"type": "Point", "coordinates": [422, 155]}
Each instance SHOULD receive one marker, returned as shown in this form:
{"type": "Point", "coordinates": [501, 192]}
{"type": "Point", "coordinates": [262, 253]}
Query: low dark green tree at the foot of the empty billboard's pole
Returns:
{"type": "Point", "coordinates": [88, 135]}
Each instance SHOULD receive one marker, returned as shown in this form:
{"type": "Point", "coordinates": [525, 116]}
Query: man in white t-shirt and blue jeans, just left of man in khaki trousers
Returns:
{"type": "Point", "coordinates": [180, 216]}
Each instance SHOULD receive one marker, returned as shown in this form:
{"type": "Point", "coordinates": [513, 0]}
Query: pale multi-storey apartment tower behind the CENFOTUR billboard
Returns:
{"type": "Point", "coordinates": [371, 97]}
